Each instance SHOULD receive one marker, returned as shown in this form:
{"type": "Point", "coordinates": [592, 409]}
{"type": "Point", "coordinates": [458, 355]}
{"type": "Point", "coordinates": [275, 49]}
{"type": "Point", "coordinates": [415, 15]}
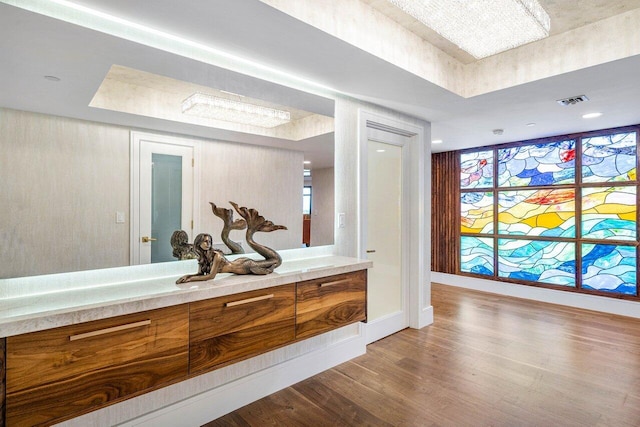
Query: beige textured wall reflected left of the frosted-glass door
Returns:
{"type": "Point", "coordinates": [62, 182]}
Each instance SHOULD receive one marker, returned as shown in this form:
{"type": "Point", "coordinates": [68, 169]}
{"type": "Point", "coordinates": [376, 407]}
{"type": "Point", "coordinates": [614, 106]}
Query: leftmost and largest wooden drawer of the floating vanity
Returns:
{"type": "Point", "coordinates": [64, 372]}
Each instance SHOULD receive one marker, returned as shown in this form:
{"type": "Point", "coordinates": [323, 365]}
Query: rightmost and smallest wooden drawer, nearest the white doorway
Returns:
{"type": "Point", "coordinates": [328, 303]}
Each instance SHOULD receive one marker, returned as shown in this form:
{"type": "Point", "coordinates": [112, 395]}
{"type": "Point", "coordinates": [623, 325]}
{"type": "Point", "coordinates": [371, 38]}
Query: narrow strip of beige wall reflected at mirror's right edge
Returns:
{"type": "Point", "coordinates": [323, 207]}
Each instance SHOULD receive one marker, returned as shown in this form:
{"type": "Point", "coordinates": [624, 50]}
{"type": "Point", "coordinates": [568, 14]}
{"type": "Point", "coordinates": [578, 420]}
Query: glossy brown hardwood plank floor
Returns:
{"type": "Point", "coordinates": [487, 360]}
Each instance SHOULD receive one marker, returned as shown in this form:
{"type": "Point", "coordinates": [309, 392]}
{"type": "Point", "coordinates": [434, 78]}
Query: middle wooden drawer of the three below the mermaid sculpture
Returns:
{"type": "Point", "coordinates": [238, 326]}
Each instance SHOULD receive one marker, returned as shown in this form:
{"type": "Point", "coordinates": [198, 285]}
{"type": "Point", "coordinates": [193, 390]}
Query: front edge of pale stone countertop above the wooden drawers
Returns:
{"type": "Point", "coordinates": [189, 292]}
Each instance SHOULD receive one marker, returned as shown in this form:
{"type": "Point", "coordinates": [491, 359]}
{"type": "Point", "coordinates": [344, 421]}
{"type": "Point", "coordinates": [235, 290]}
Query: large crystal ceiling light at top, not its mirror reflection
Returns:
{"type": "Point", "coordinates": [481, 27]}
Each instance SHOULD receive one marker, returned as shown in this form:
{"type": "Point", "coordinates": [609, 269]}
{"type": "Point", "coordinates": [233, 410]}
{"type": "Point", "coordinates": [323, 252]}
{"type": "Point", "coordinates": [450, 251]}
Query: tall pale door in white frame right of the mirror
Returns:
{"type": "Point", "coordinates": [386, 293]}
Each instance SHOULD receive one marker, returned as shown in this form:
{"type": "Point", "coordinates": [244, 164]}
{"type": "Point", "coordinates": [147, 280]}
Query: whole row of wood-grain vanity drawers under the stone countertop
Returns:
{"type": "Point", "coordinates": [61, 373]}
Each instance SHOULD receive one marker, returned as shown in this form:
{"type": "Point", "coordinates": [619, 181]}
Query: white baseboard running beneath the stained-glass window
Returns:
{"type": "Point", "coordinates": [572, 299]}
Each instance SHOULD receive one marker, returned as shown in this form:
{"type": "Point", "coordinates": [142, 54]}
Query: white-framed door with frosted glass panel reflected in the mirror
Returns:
{"type": "Point", "coordinates": [165, 197]}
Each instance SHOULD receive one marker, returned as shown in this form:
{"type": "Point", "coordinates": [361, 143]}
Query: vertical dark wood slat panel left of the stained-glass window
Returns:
{"type": "Point", "coordinates": [445, 212]}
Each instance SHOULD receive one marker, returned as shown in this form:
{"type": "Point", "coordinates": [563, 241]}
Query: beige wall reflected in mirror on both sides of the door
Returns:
{"type": "Point", "coordinates": [64, 180]}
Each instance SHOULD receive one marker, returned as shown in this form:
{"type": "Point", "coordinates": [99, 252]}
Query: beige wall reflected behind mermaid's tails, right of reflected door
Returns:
{"type": "Point", "coordinates": [267, 179]}
